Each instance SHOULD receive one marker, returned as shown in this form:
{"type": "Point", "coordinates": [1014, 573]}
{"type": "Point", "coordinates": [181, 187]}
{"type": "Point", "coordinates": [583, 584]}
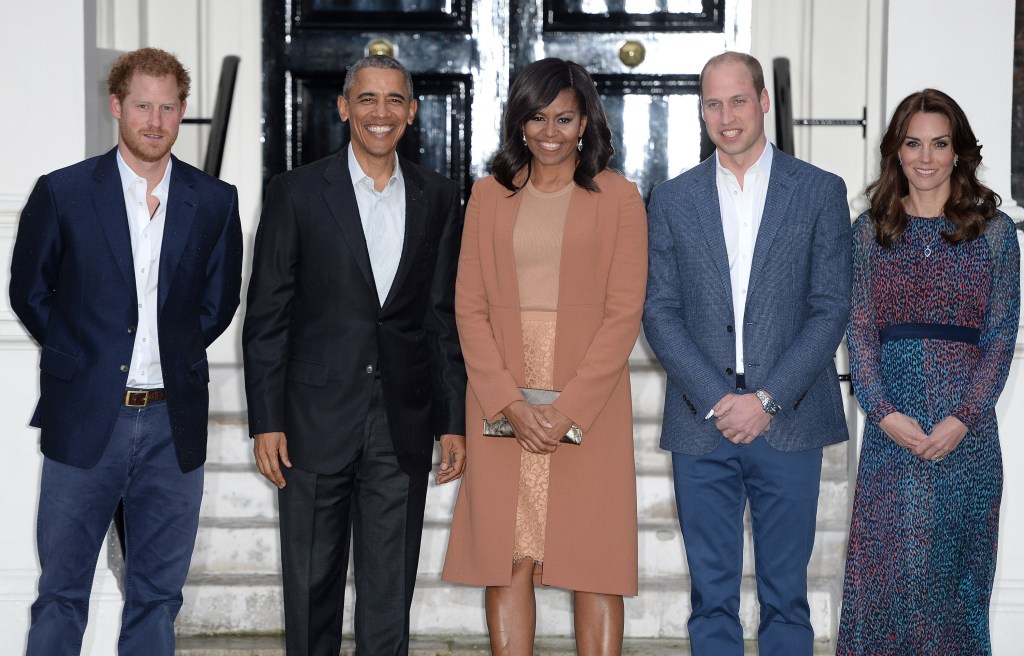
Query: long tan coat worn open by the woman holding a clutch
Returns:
{"type": "Point", "coordinates": [591, 536]}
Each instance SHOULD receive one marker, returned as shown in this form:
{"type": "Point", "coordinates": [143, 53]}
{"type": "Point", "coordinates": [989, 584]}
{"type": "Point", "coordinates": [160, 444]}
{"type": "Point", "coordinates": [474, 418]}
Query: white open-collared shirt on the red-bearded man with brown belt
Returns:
{"type": "Point", "coordinates": [147, 239]}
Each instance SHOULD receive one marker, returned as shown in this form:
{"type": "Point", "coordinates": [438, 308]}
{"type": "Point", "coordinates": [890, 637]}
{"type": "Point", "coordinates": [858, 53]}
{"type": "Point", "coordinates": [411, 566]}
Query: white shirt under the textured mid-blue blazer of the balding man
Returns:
{"type": "Point", "coordinates": [742, 210]}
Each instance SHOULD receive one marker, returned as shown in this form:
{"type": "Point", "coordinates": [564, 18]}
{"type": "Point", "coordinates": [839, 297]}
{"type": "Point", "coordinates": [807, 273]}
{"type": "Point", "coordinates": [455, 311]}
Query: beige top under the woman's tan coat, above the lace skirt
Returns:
{"type": "Point", "coordinates": [537, 242]}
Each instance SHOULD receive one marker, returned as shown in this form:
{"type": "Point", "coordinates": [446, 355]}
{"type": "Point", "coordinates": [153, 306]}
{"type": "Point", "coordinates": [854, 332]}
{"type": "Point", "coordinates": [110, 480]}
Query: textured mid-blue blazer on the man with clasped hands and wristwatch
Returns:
{"type": "Point", "coordinates": [797, 307]}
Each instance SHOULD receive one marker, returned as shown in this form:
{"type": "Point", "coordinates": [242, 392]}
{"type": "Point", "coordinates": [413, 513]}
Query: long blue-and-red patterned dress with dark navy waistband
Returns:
{"type": "Point", "coordinates": [932, 334]}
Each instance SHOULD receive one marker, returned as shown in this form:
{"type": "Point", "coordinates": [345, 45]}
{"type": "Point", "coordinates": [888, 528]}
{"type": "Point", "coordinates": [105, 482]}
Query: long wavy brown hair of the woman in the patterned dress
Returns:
{"type": "Point", "coordinates": [970, 205]}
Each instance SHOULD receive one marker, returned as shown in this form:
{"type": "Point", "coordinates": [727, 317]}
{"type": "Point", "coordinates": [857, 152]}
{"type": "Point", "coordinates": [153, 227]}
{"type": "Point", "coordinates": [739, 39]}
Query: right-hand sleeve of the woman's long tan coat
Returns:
{"type": "Point", "coordinates": [585, 396]}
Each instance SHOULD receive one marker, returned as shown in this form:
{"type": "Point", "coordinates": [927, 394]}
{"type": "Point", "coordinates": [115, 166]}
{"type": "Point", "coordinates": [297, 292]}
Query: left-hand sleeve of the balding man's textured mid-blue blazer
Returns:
{"type": "Point", "coordinates": [664, 325]}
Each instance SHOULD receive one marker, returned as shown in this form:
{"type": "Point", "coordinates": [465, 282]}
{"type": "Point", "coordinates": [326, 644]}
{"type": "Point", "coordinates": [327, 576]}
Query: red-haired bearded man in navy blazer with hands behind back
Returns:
{"type": "Point", "coordinates": [127, 267]}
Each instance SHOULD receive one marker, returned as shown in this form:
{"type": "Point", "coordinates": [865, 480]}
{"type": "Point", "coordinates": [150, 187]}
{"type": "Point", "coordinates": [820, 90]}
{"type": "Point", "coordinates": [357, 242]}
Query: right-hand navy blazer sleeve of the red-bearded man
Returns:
{"type": "Point", "coordinates": [224, 277]}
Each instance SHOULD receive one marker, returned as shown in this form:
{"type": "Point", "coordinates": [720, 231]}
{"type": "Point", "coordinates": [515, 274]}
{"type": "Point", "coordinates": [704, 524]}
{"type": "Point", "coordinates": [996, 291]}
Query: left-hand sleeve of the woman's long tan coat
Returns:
{"type": "Point", "coordinates": [493, 384]}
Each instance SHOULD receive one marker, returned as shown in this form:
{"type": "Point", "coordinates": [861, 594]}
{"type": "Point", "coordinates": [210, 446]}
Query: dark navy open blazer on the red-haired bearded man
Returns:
{"type": "Point", "coordinates": [73, 286]}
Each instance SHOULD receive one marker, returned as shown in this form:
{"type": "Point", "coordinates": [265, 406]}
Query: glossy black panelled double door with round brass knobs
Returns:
{"type": "Point", "coordinates": [645, 56]}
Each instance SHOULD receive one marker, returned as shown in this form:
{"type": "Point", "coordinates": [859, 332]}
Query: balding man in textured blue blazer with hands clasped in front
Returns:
{"type": "Point", "coordinates": [748, 299]}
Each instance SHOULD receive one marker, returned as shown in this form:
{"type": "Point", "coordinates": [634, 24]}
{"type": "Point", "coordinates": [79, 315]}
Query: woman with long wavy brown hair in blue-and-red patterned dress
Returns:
{"type": "Point", "coordinates": [935, 314]}
